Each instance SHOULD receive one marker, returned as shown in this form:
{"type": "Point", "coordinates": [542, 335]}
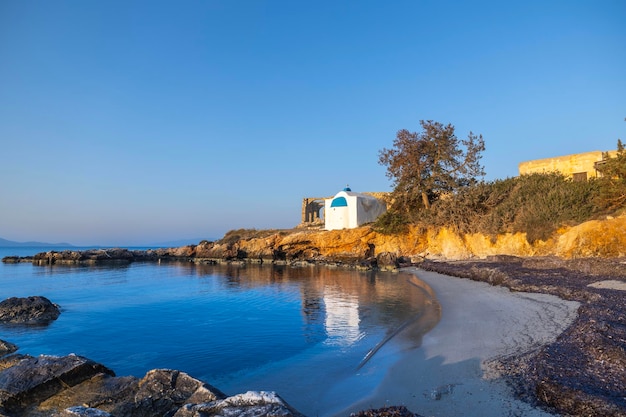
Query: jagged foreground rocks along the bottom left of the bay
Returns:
{"type": "Point", "coordinates": [76, 386]}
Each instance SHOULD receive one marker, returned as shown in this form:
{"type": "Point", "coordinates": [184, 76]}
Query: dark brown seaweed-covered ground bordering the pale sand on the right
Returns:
{"type": "Point", "coordinates": [583, 373]}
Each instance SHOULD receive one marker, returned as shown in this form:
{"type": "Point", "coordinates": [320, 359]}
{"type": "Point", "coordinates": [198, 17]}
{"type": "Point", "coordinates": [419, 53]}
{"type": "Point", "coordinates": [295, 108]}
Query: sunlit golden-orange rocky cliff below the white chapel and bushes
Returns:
{"type": "Point", "coordinates": [598, 238]}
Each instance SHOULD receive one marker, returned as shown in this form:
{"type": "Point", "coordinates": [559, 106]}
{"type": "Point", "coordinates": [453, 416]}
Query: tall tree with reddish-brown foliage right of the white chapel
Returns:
{"type": "Point", "coordinates": [434, 161]}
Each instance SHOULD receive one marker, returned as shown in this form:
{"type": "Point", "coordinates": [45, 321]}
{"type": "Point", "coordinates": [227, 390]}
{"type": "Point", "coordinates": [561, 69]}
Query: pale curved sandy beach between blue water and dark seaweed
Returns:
{"type": "Point", "coordinates": [451, 374]}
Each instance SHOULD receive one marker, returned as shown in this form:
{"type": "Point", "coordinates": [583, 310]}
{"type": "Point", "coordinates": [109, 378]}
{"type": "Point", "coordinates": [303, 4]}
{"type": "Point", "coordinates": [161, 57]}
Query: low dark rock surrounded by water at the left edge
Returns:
{"type": "Point", "coordinates": [29, 310]}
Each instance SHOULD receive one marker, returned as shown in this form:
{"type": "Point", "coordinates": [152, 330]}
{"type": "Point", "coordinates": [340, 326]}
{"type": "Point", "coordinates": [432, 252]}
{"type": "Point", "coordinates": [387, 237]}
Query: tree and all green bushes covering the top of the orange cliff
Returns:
{"type": "Point", "coordinates": [536, 204]}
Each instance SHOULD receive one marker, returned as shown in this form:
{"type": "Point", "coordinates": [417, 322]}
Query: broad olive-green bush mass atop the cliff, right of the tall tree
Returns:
{"type": "Point", "coordinates": [537, 204]}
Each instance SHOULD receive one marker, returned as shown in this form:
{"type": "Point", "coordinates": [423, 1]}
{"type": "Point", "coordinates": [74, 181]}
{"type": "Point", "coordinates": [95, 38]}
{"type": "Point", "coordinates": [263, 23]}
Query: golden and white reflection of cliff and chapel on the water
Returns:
{"type": "Point", "coordinates": [345, 302]}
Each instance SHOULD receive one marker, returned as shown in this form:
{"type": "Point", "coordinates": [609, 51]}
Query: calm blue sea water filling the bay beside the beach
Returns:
{"type": "Point", "coordinates": [301, 332]}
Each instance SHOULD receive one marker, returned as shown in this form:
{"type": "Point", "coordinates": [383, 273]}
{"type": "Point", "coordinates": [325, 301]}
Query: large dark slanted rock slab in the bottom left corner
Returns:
{"type": "Point", "coordinates": [32, 380]}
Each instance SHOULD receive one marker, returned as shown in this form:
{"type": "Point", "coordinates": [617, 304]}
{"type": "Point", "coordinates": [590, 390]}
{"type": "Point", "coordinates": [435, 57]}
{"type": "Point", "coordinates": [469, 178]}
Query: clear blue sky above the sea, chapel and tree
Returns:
{"type": "Point", "coordinates": [131, 122]}
